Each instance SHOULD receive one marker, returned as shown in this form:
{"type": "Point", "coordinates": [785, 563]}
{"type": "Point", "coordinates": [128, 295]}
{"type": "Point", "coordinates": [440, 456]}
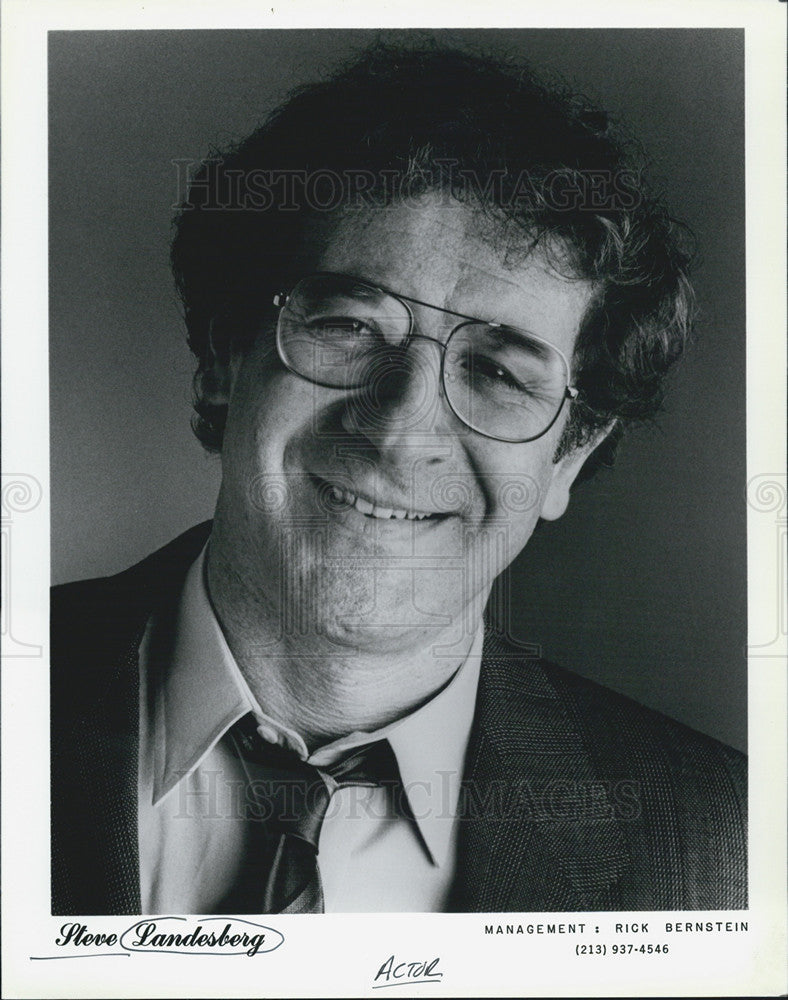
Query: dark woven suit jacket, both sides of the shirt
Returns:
{"type": "Point", "coordinates": [574, 798]}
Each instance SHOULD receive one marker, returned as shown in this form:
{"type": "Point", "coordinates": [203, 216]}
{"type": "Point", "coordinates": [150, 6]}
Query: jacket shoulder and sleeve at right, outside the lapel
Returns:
{"type": "Point", "coordinates": [687, 827]}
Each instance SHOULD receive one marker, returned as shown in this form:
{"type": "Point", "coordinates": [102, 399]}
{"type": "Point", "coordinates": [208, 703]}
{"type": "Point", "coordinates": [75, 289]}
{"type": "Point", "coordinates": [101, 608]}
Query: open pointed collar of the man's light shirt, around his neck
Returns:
{"type": "Point", "coordinates": [203, 693]}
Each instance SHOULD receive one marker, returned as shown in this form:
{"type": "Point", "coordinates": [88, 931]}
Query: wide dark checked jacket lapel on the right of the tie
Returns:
{"type": "Point", "coordinates": [537, 829]}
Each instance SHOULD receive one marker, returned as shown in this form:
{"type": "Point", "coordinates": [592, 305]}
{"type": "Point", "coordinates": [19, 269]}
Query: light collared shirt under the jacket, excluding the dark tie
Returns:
{"type": "Point", "coordinates": [193, 835]}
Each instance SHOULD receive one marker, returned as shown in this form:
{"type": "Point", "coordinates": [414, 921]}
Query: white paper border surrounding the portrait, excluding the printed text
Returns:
{"type": "Point", "coordinates": [338, 955]}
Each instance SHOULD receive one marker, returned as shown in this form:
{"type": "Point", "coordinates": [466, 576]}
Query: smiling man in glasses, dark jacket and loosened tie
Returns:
{"type": "Point", "coordinates": [424, 297]}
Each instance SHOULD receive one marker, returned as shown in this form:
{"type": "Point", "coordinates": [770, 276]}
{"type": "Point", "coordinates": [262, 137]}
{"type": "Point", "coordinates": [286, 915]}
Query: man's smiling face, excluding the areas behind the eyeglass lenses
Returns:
{"type": "Point", "coordinates": [306, 532]}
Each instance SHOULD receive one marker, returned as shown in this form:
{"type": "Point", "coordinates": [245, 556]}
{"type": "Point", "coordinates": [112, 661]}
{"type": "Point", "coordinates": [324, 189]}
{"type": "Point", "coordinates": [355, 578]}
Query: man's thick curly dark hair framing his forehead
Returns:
{"type": "Point", "coordinates": [400, 122]}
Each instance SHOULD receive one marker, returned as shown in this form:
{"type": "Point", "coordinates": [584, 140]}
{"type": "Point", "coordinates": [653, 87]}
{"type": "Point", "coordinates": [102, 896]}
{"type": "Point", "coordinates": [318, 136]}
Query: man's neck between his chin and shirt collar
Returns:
{"type": "Point", "coordinates": [324, 689]}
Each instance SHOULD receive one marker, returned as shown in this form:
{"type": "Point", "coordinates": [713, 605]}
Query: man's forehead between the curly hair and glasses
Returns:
{"type": "Point", "coordinates": [449, 255]}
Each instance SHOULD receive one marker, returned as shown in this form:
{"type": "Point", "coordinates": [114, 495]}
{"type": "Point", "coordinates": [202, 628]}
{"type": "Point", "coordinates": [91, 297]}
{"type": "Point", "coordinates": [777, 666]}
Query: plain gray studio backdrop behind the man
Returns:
{"type": "Point", "coordinates": [642, 585]}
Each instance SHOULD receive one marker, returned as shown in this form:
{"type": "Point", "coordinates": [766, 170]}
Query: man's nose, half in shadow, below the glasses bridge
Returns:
{"type": "Point", "coordinates": [402, 404]}
